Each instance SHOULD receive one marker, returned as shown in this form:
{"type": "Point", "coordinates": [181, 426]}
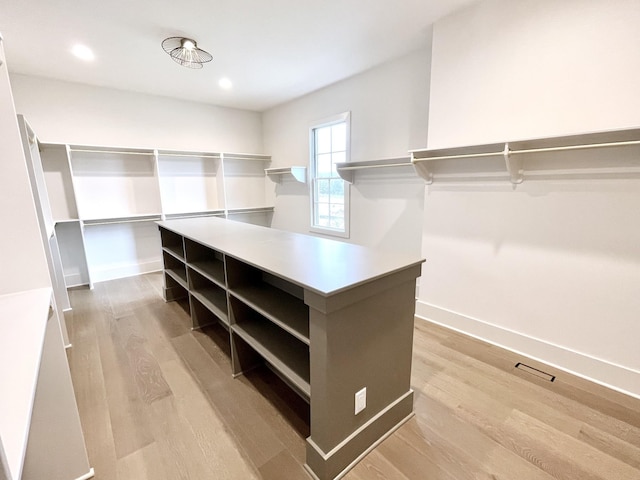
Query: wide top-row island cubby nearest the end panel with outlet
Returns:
{"type": "Point", "coordinates": [278, 300]}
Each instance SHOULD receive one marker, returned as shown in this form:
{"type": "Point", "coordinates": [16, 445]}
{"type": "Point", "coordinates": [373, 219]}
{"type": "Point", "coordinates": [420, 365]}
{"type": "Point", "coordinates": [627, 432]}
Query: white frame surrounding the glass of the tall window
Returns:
{"type": "Point", "coordinates": [340, 118]}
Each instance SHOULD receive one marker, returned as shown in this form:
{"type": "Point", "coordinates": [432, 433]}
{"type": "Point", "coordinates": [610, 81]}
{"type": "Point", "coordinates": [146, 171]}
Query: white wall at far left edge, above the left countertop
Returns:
{"type": "Point", "coordinates": [23, 264]}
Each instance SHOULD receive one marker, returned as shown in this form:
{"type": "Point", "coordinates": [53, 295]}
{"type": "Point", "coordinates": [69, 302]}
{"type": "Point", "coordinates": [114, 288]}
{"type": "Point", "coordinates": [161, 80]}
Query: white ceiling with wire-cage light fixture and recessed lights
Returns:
{"type": "Point", "coordinates": [272, 50]}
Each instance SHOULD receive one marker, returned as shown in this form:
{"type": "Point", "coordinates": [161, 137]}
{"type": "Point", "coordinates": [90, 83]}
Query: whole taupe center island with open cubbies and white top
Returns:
{"type": "Point", "coordinates": [328, 317]}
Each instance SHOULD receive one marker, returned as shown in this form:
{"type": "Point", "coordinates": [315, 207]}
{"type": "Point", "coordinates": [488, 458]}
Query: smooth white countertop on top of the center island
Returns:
{"type": "Point", "coordinates": [318, 264]}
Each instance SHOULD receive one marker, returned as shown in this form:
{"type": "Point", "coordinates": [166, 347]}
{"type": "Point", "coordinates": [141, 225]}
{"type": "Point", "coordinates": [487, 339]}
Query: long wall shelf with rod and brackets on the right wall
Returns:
{"type": "Point", "coordinates": [508, 159]}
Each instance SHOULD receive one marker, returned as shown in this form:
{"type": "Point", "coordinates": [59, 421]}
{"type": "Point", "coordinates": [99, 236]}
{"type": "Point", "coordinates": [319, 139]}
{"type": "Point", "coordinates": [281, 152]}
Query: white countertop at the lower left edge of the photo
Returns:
{"type": "Point", "coordinates": [23, 322]}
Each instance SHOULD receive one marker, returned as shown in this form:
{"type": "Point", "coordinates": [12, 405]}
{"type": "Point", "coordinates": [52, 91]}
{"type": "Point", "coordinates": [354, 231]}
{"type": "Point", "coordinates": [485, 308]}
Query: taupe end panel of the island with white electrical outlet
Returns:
{"type": "Point", "coordinates": [365, 342]}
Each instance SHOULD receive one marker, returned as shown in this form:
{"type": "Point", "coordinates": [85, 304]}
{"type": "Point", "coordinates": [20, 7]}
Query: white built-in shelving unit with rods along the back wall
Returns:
{"type": "Point", "coordinates": [105, 201]}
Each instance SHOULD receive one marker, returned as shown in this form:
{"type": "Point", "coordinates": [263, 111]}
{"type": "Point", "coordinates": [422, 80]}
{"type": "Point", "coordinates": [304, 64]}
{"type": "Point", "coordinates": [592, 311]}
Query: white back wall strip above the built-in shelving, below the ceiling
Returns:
{"type": "Point", "coordinates": [65, 112]}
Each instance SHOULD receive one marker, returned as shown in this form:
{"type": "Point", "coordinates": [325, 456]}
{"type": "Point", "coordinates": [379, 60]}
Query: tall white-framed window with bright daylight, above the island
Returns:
{"type": "Point", "coordinates": [329, 193]}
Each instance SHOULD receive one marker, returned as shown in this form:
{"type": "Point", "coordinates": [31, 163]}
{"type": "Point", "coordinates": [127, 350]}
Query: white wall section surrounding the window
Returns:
{"type": "Point", "coordinates": [388, 106]}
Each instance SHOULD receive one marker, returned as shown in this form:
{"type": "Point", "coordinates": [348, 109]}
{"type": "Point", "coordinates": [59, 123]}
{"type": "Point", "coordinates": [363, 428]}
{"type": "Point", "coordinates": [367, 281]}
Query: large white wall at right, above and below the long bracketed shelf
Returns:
{"type": "Point", "coordinates": [552, 268]}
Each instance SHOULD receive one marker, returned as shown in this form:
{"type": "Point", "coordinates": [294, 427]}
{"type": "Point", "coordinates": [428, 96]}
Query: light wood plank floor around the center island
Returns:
{"type": "Point", "coordinates": [157, 401]}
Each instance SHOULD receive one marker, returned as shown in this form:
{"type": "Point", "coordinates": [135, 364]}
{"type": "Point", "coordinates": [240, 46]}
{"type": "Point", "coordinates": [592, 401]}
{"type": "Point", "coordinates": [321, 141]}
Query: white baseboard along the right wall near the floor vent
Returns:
{"type": "Point", "coordinates": [617, 377]}
